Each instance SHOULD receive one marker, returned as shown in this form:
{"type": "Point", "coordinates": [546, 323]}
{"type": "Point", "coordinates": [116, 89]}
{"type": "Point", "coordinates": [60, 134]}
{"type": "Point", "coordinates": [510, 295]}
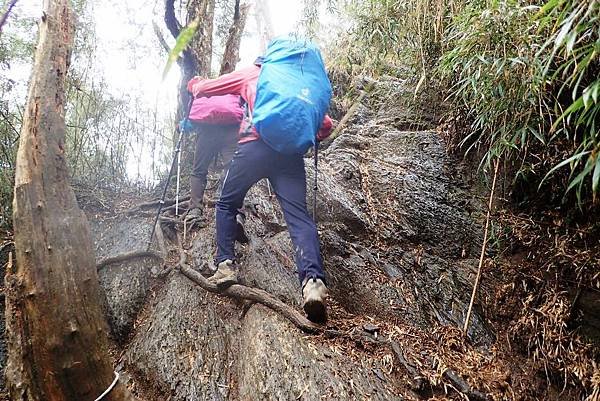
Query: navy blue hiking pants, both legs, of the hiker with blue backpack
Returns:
{"type": "Point", "coordinates": [252, 162]}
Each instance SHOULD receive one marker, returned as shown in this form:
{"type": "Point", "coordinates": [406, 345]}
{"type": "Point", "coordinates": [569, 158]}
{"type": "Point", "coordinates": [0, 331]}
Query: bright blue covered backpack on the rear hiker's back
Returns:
{"type": "Point", "coordinates": [292, 95]}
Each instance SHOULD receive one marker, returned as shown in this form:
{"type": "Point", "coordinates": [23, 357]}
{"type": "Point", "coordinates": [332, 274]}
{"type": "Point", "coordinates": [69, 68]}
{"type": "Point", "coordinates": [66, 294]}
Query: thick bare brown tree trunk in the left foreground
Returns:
{"type": "Point", "coordinates": [57, 333]}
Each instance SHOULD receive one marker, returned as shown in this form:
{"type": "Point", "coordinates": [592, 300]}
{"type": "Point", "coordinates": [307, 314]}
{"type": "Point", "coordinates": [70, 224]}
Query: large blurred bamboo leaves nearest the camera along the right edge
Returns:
{"type": "Point", "coordinates": [573, 67]}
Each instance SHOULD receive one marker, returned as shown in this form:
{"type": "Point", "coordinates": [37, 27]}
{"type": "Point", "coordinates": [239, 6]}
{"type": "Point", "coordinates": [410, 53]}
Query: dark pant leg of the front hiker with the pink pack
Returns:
{"type": "Point", "coordinates": [206, 150]}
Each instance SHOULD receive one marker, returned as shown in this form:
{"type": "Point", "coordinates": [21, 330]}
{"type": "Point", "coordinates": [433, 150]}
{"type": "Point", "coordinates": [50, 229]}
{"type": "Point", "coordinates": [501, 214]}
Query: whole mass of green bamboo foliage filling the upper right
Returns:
{"type": "Point", "coordinates": [524, 72]}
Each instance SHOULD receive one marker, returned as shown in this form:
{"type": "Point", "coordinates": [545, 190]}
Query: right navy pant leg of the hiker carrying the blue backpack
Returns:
{"type": "Point", "coordinates": [288, 178]}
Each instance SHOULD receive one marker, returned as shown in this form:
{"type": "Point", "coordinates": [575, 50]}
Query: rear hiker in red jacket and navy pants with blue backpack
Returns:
{"type": "Point", "coordinates": [287, 94]}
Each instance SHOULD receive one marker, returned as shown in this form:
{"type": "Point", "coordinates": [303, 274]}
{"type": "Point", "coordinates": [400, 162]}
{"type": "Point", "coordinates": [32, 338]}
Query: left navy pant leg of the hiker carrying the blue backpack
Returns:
{"type": "Point", "coordinates": [246, 168]}
